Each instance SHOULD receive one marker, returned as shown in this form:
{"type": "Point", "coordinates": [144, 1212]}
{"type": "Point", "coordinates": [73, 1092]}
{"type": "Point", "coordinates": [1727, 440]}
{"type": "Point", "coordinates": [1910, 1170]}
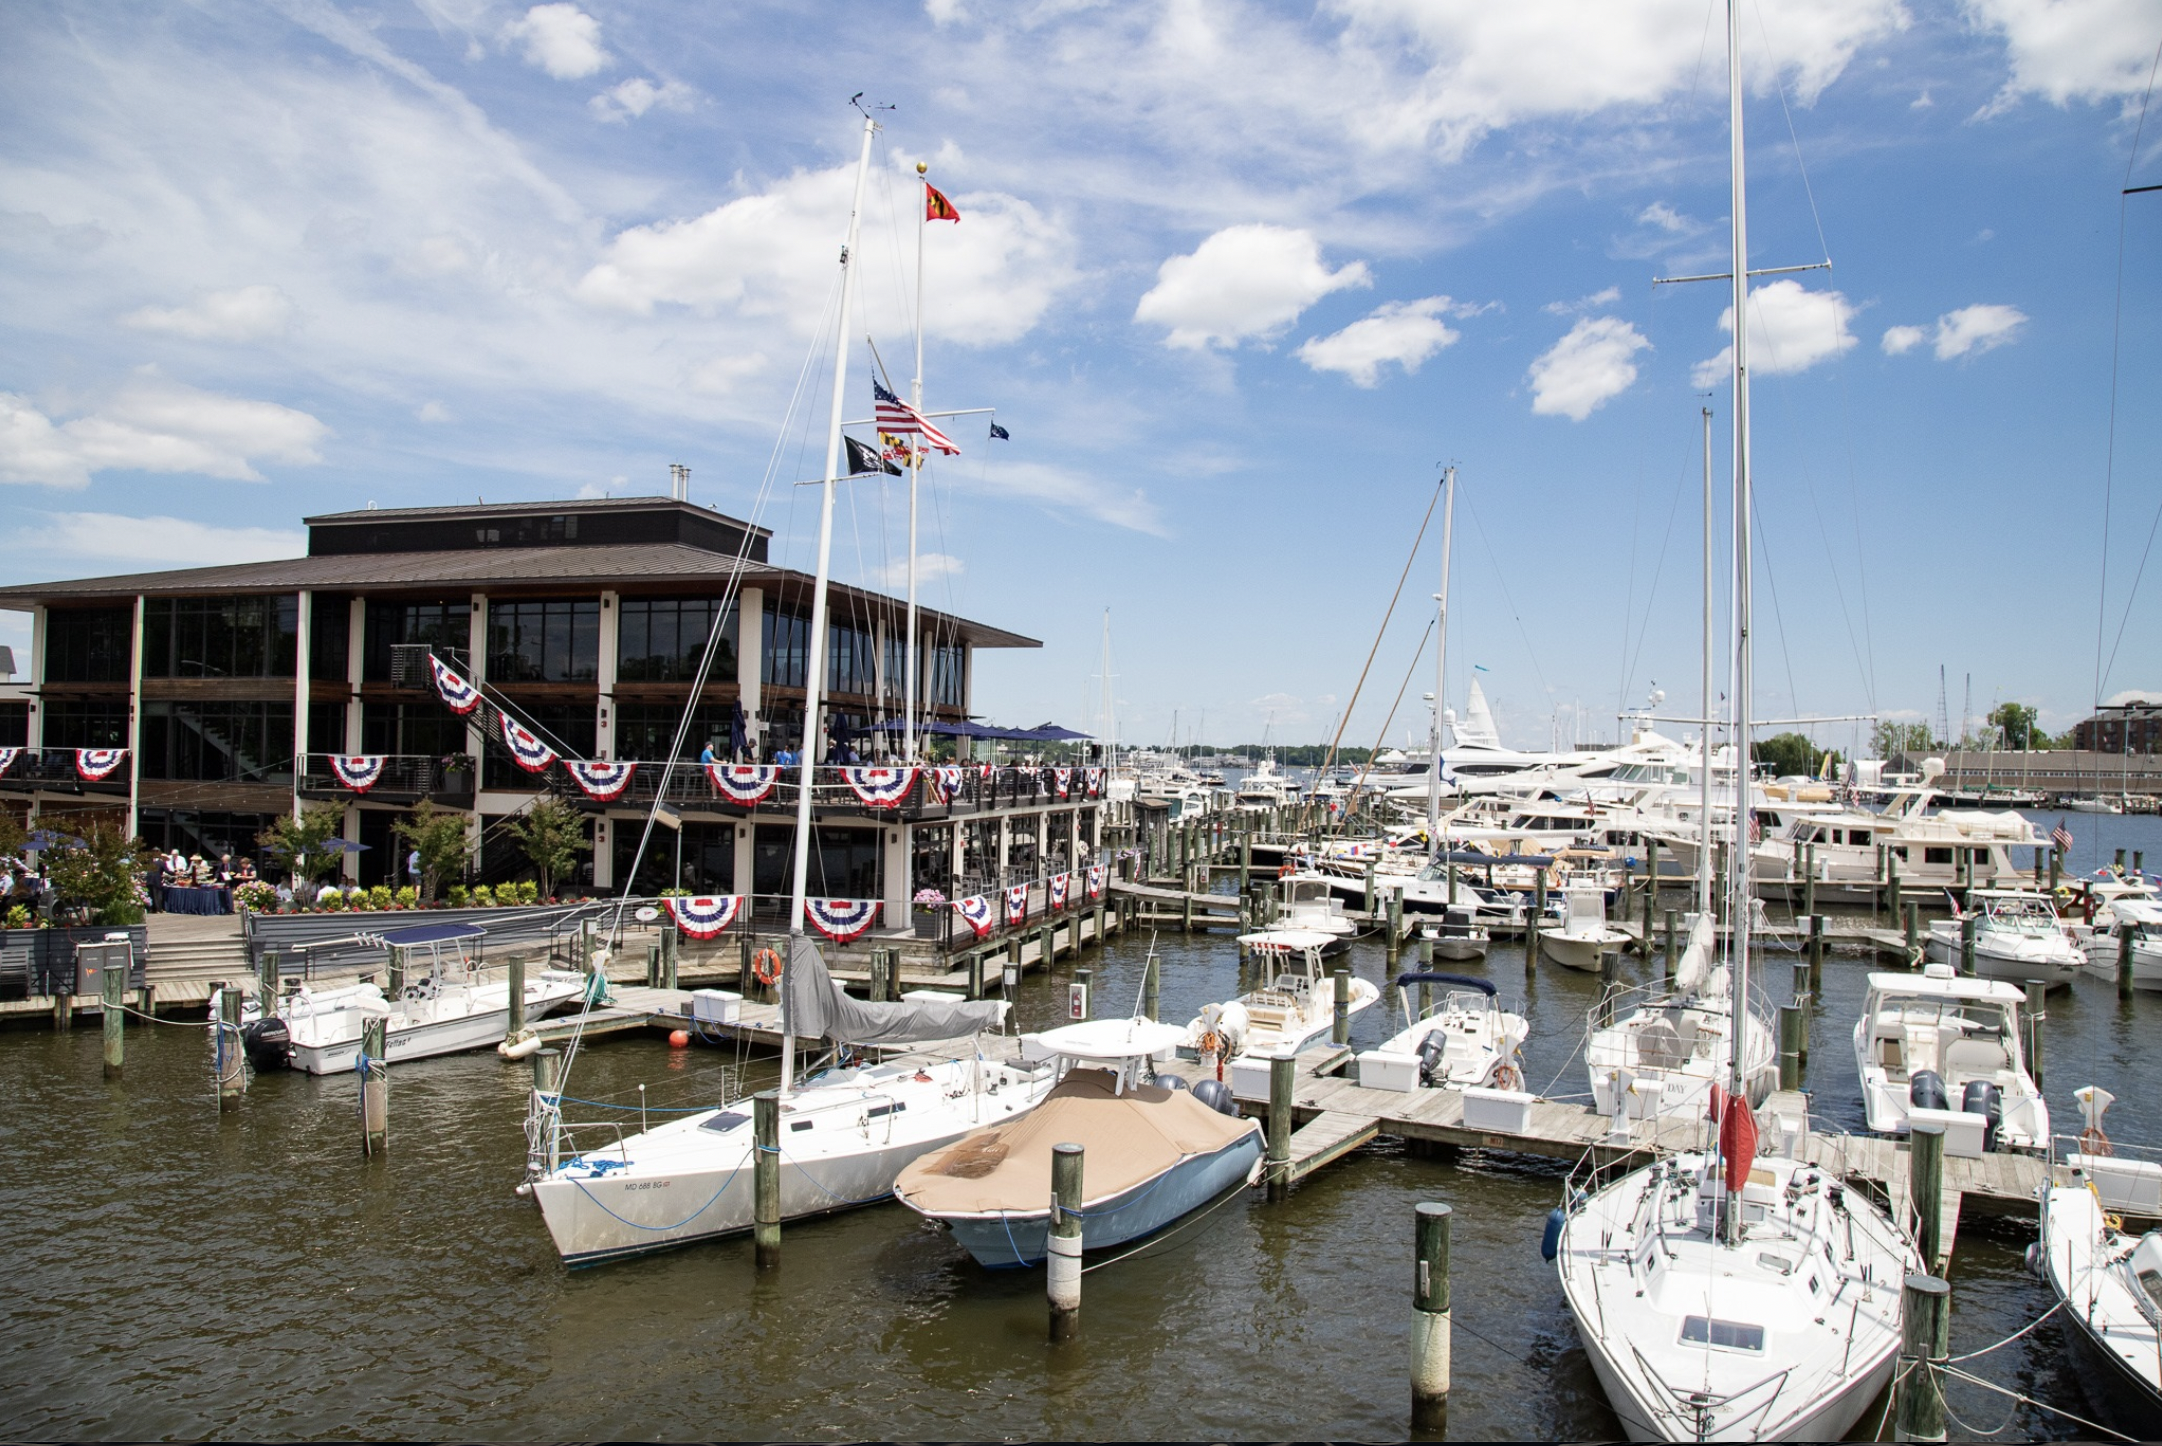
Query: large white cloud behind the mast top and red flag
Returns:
{"type": "Point", "coordinates": [773, 256]}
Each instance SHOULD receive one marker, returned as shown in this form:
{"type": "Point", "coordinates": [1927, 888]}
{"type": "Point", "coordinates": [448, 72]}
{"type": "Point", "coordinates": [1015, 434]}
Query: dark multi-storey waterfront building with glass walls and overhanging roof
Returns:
{"type": "Point", "coordinates": [230, 688]}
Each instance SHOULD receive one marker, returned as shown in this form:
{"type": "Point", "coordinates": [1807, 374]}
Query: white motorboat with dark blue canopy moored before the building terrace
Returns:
{"type": "Point", "coordinates": [442, 1002]}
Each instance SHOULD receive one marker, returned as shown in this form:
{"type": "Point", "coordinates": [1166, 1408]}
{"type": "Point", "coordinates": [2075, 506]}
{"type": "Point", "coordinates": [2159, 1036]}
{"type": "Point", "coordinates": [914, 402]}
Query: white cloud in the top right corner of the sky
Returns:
{"type": "Point", "coordinates": [2068, 51]}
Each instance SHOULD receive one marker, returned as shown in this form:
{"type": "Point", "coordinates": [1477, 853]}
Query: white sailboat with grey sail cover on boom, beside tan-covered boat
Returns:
{"type": "Point", "coordinates": [846, 1134]}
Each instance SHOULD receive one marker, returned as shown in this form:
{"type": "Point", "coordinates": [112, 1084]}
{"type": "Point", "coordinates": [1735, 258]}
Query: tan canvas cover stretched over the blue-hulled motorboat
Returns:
{"type": "Point", "coordinates": [1130, 1138]}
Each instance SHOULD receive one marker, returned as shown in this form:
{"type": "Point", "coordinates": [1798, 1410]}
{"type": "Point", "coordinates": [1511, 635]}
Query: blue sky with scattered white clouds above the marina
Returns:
{"type": "Point", "coordinates": [1240, 282]}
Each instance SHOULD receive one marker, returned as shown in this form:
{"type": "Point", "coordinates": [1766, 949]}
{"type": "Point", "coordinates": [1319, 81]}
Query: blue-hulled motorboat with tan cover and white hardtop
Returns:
{"type": "Point", "coordinates": [1153, 1151]}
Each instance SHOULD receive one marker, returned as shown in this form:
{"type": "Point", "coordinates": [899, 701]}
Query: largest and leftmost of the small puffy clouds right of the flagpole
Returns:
{"type": "Point", "coordinates": [1244, 282]}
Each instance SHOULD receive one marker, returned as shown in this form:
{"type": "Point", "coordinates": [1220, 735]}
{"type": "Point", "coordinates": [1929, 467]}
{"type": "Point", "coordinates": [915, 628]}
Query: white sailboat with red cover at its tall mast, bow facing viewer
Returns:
{"type": "Point", "coordinates": [1724, 1294]}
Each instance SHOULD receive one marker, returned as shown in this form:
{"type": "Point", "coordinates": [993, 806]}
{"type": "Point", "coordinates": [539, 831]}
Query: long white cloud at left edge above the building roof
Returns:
{"type": "Point", "coordinates": [155, 425]}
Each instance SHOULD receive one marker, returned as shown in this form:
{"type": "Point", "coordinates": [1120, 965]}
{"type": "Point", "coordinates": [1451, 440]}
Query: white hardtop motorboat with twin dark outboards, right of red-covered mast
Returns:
{"type": "Point", "coordinates": [1949, 1043]}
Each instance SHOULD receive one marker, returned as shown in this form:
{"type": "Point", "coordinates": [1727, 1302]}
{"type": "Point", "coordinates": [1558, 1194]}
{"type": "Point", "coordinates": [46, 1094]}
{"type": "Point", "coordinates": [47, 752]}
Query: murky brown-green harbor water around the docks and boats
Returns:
{"type": "Point", "coordinates": [178, 1274]}
